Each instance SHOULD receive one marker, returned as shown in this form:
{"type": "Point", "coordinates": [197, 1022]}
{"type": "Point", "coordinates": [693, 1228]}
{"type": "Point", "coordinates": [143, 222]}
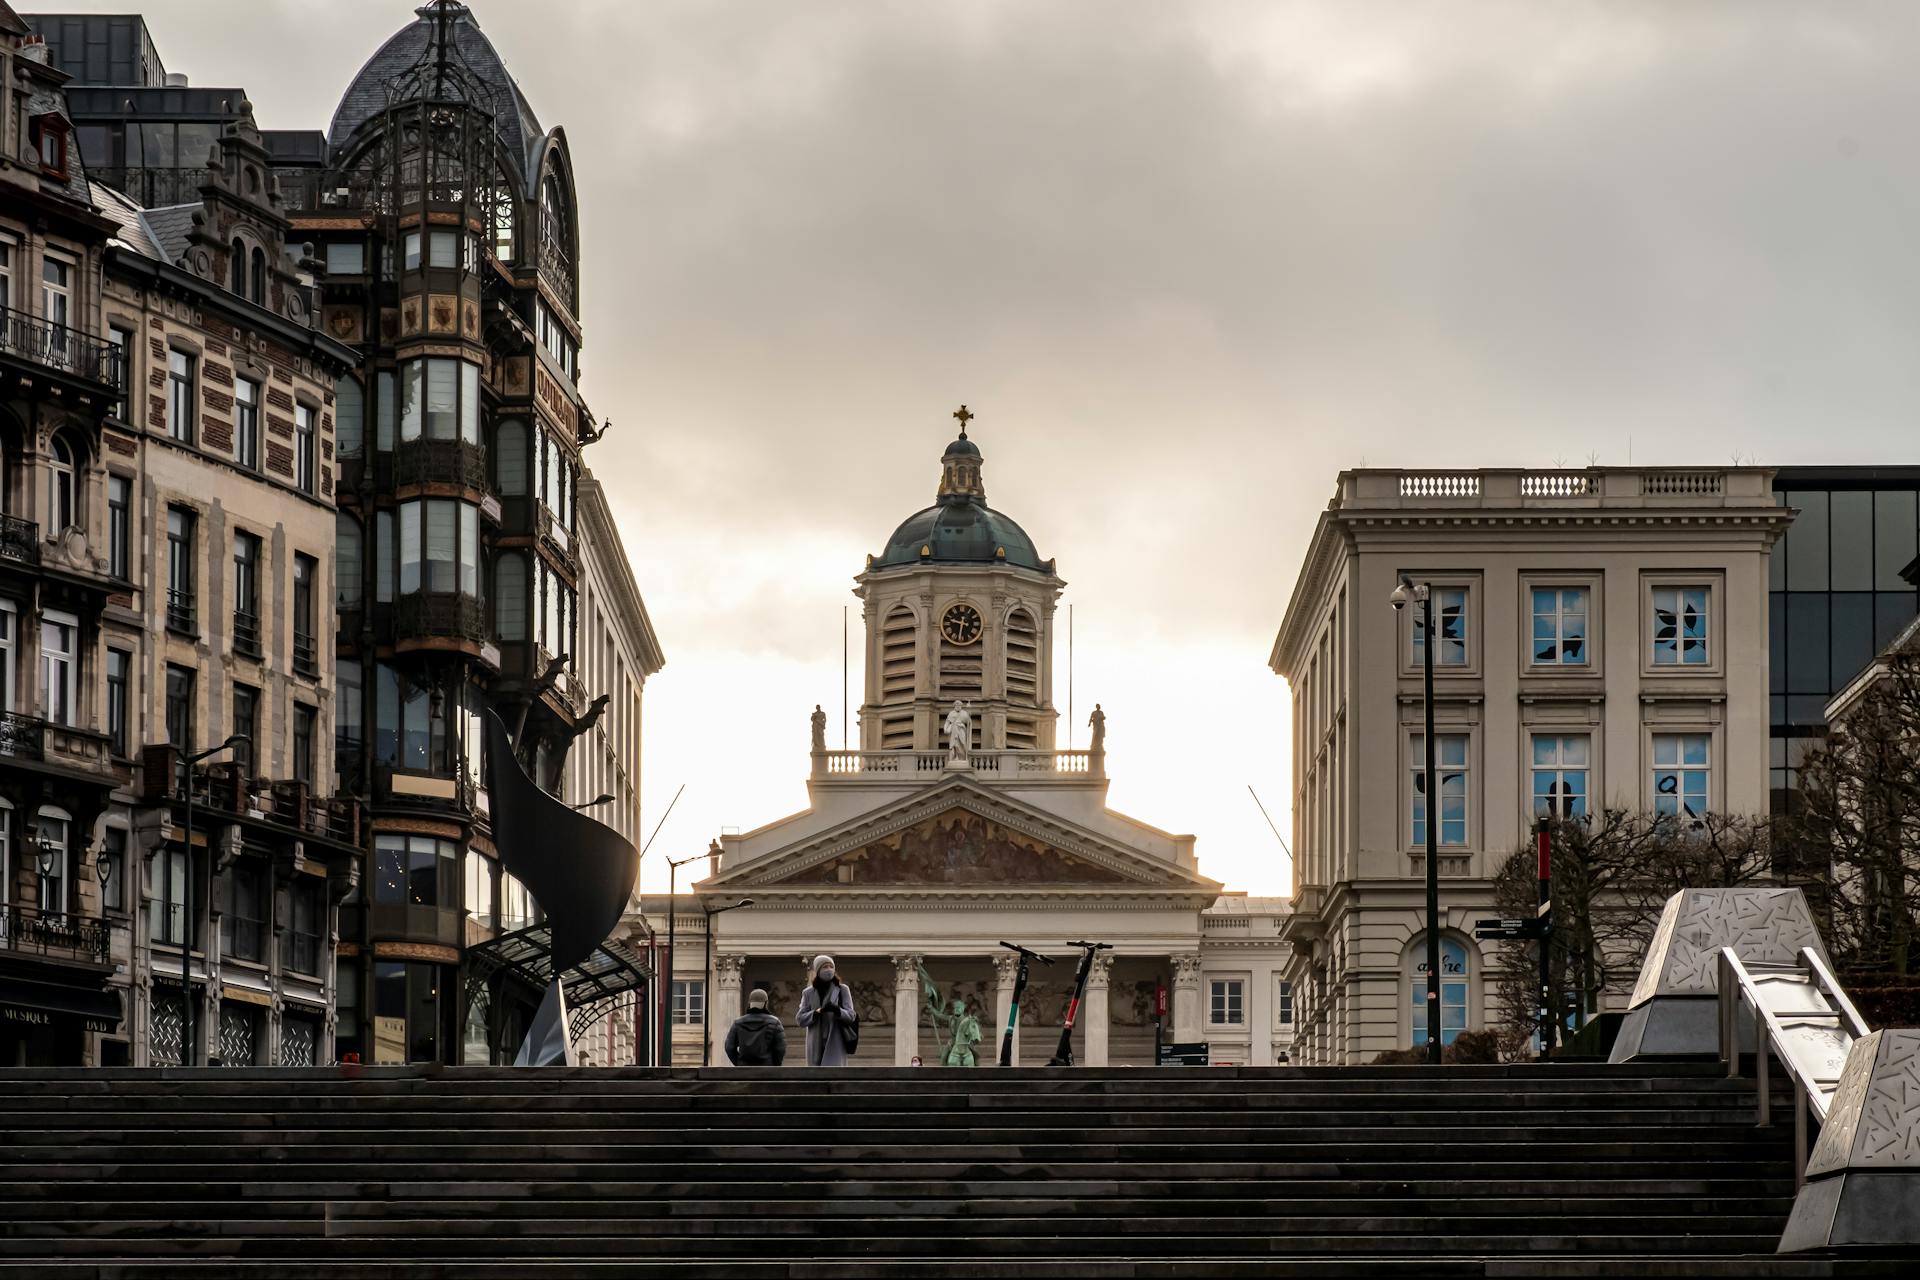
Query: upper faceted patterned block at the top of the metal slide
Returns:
{"type": "Point", "coordinates": [1675, 1005]}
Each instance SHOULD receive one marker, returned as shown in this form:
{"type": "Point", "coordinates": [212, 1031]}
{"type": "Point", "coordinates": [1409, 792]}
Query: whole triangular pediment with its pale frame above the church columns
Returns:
{"type": "Point", "coordinates": [961, 838]}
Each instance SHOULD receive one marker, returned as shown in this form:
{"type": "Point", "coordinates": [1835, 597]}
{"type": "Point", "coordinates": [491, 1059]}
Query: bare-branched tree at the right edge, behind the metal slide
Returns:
{"type": "Point", "coordinates": [1854, 828]}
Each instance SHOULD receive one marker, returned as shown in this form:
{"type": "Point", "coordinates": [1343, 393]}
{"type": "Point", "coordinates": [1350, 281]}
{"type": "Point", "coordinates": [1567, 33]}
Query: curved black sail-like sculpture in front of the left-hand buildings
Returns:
{"type": "Point", "coordinates": [581, 872]}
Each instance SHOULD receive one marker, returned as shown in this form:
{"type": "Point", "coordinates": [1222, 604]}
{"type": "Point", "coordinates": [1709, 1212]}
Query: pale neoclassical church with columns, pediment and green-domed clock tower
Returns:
{"type": "Point", "coordinates": [959, 824]}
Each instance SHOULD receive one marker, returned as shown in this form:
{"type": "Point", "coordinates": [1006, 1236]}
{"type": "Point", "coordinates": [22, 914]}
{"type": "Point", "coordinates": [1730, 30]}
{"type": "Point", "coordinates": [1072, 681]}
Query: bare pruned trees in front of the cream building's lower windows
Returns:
{"type": "Point", "coordinates": [1612, 876]}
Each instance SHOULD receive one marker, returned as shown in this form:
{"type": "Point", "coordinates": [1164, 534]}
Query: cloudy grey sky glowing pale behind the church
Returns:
{"type": "Point", "coordinates": [1186, 264]}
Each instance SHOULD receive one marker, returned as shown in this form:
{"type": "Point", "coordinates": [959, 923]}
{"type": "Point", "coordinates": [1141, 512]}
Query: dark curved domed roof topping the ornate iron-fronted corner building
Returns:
{"type": "Point", "coordinates": [387, 78]}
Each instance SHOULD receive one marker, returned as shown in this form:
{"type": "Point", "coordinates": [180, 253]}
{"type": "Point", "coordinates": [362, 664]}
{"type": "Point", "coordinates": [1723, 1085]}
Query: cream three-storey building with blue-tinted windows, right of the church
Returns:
{"type": "Point", "coordinates": [1600, 644]}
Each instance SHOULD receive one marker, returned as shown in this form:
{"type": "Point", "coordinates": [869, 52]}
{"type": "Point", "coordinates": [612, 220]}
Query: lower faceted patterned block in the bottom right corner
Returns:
{"type": "Point", "coordinates": [1863, 1181]}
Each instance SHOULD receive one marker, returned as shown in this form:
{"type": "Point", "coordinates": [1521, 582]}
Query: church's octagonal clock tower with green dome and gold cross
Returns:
{"type": "Point", "coordinates": [959, 607]}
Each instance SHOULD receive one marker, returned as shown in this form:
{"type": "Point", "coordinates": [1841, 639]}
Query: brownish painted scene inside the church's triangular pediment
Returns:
{"type": "Point", "coordinates": [957, 849]}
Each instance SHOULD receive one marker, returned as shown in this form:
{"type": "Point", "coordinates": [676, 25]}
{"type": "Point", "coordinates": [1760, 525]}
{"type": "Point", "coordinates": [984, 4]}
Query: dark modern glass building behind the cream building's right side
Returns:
{"type": "Point", "coordinates": [1836, 594]}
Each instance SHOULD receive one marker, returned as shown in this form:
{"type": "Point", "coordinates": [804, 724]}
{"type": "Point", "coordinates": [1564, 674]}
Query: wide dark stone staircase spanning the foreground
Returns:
{"type": "Point", "coordinates": [492, 1173]}
